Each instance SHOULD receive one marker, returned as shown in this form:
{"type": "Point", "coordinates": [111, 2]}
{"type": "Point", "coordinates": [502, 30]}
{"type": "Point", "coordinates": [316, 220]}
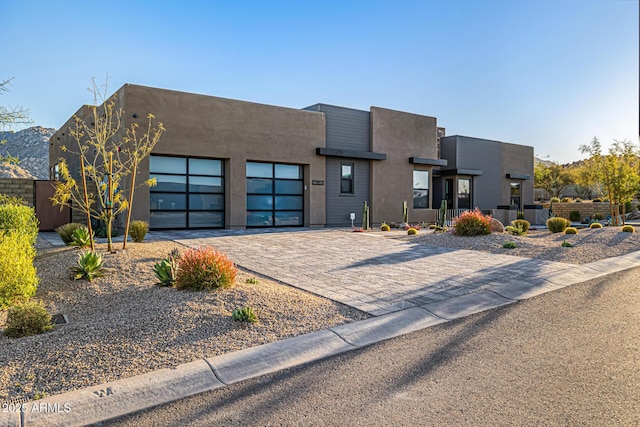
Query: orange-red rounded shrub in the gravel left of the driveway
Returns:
{"type": "Point", "coordinates": [205, 268]}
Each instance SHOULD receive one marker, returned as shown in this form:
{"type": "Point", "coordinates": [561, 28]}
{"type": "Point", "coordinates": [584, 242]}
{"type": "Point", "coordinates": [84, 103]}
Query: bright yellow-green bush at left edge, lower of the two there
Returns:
{"type": "Point", "coordinates": [18, 278]}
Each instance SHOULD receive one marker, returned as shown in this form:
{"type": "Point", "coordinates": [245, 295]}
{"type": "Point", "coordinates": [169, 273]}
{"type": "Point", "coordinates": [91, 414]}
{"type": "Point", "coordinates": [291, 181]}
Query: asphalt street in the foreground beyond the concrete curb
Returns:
{"type": "Point", "coordinates": [569, 357]}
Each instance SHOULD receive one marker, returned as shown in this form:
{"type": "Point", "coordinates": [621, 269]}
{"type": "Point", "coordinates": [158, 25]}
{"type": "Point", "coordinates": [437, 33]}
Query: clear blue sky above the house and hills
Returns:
{"type": "Point", "coordinates": [547, 73]}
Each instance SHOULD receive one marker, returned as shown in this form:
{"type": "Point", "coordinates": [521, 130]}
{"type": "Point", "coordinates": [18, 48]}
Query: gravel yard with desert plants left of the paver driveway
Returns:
{"type": "Point", "coordinates": [122, 325]}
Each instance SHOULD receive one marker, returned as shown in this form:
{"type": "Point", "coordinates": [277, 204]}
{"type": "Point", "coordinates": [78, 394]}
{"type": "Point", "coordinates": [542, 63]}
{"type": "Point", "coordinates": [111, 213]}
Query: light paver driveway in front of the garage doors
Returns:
{"type": "Point", "coordinates": [375, 273]}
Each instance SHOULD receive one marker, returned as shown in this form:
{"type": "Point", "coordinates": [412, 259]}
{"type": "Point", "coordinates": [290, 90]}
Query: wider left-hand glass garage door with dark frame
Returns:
{"type": "Point", "coordinates": [189, 192]}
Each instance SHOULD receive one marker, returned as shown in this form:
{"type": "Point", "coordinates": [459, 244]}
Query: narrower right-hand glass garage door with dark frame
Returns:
{"type": "Point", "coordinates": [274, 195]}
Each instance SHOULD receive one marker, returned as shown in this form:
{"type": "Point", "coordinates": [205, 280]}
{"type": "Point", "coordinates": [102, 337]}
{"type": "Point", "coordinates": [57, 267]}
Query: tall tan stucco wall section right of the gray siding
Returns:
{"type": "Point", "coordinates": [399, 135]}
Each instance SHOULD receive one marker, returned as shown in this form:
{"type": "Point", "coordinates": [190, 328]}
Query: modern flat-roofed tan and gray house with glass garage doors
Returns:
{"type": "Point", "coordinates": [235, 164]}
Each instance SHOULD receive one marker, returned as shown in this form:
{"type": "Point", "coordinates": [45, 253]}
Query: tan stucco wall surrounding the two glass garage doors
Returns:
{"type": "Point", "coordinates": [236, 131]}
